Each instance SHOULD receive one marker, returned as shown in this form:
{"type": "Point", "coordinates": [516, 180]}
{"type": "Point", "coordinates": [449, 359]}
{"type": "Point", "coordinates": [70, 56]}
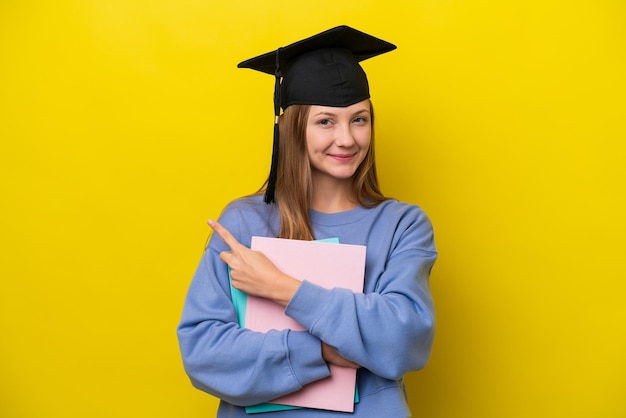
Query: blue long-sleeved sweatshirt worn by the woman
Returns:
{"type": "Point", "coordinates": [388, 329]}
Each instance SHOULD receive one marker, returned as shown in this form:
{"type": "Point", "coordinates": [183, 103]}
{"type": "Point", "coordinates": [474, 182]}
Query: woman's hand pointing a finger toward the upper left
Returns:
{"type": "Point", "coordinates": [252, 272]}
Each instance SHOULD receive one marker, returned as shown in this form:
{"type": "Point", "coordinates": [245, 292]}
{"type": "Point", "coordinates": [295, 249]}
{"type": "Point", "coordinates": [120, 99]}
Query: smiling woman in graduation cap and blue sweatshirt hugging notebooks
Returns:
{"type": "Point", "coordinates": [322, 184]}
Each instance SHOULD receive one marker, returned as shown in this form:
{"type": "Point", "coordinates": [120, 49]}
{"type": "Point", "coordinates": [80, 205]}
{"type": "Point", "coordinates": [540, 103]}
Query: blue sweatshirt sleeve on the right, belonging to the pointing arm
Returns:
{"type": "Point", "coordinates": [389, 329]}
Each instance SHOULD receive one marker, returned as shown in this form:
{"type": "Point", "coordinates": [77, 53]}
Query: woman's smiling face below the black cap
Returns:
{"type": "Point", "coordinates": [337, 139]}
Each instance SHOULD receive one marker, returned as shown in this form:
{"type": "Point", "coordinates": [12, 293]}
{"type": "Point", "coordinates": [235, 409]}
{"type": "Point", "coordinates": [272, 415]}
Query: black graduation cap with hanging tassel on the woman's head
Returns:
{"type": "Point", "coordinates": [321, 70]}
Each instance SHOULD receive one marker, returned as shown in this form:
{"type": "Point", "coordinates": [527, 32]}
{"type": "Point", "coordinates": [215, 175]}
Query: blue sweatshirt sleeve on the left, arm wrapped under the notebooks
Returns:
{"type": "Point", "coordinates": [235, 364]}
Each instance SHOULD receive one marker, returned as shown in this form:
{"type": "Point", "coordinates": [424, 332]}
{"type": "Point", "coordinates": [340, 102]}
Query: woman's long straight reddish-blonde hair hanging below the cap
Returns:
{"type": "Point", "coordinates": [294, 185]}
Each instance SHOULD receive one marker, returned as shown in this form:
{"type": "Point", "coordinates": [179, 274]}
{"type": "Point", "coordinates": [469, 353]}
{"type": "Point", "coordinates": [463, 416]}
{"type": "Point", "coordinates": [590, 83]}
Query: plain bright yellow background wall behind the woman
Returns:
{"type": "Point", "coordinates": [125, 124]}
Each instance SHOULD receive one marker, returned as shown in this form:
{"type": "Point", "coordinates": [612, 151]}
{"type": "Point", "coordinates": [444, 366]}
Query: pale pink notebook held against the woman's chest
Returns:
{"type": "Point", "coordinates": [328, 265]}
